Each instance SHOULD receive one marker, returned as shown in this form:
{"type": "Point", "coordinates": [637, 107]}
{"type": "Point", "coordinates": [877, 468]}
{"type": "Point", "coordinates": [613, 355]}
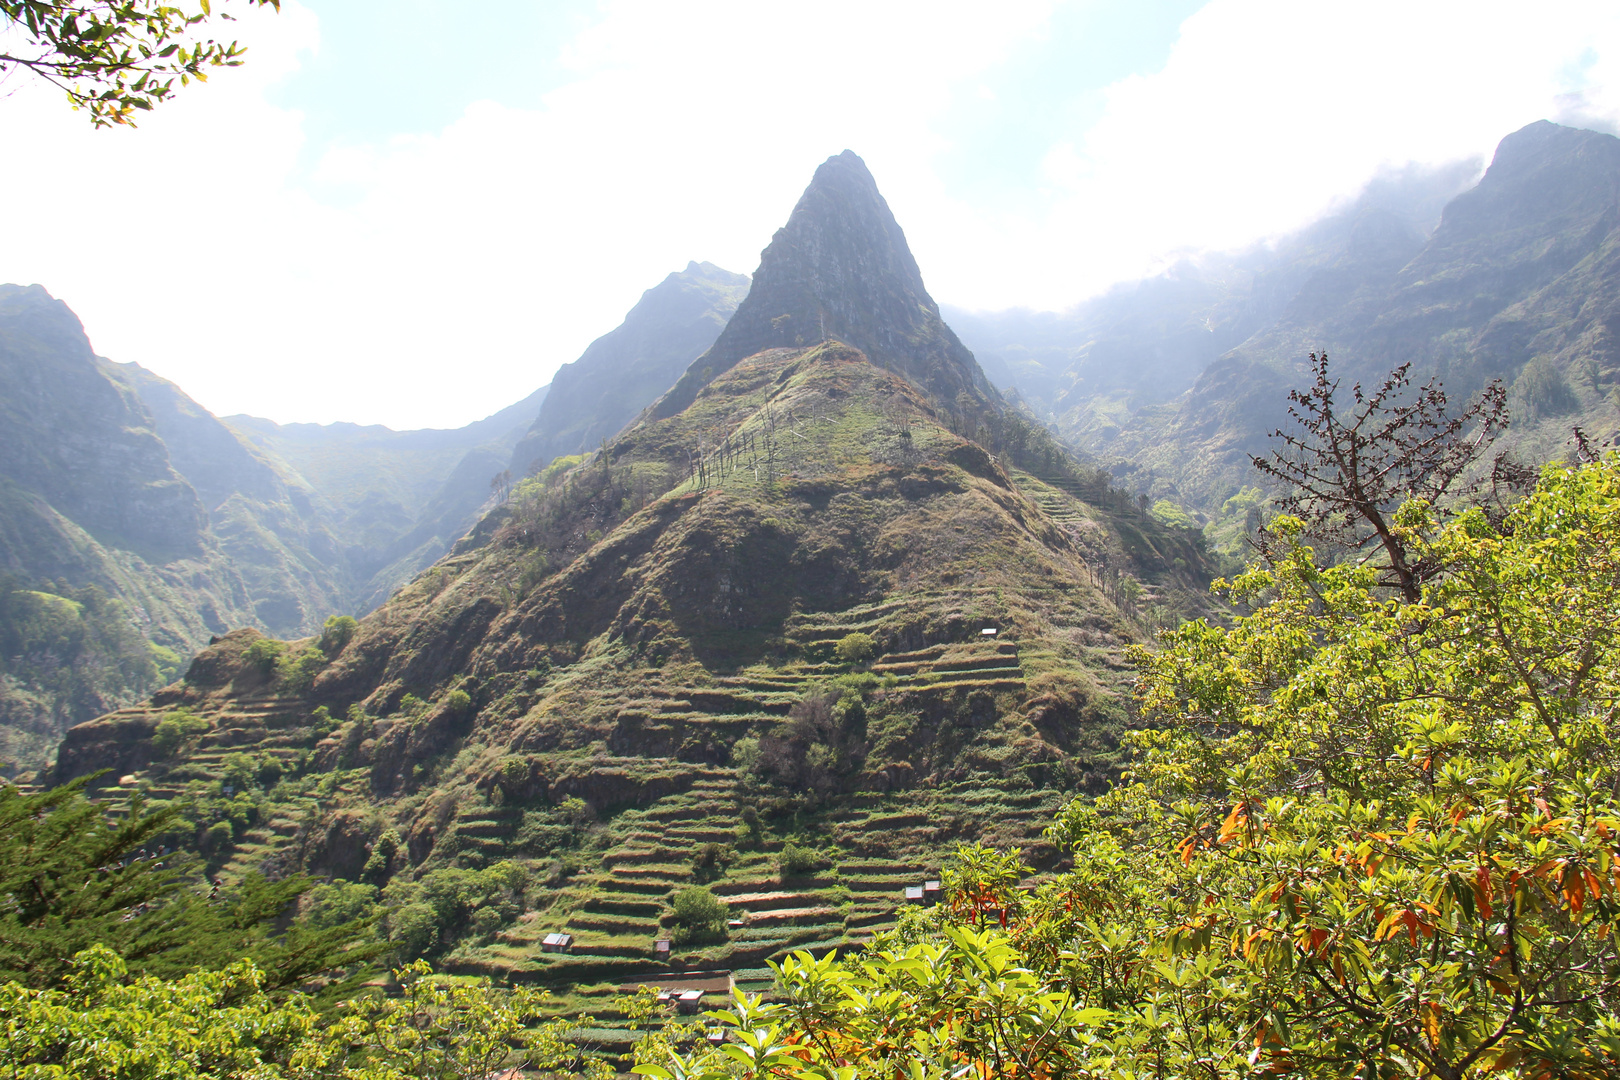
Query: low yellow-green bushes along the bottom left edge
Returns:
{"type": "Point", "coordinates": [103, 1026]}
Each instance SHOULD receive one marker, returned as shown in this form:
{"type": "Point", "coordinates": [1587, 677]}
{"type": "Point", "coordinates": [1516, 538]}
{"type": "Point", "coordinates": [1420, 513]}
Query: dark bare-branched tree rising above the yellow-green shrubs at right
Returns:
{"type": "Point", "coordinates": [1347, 472]}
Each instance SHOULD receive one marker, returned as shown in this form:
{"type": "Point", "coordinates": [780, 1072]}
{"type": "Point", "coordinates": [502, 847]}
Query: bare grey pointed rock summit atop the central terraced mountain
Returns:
{"type": "Point", "coordinates": [840, 270]}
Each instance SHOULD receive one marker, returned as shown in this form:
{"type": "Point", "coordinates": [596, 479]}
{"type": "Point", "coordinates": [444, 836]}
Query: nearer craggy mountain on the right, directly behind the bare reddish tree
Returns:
{"type": "Point", "coordinates": [1519, 283]}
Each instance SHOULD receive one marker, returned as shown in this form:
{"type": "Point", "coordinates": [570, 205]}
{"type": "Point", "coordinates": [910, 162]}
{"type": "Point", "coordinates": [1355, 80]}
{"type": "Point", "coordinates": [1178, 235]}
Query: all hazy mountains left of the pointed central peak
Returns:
{"type": "Point", "coordinates": [198, 525]}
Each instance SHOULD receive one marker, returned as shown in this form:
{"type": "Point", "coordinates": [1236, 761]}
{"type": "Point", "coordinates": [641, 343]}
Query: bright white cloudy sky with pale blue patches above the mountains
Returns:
{"type": "Point", "coordinates": [412, 211]}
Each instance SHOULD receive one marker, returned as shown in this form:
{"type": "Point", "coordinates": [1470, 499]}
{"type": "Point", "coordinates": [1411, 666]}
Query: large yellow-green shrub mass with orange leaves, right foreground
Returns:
{"type": "Point", "coordinates": [1366, 836]}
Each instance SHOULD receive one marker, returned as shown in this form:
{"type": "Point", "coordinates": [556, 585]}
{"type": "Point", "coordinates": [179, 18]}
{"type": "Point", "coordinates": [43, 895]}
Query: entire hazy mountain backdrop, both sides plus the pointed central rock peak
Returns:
{"type": "Point", "coordinates": [200, 525]}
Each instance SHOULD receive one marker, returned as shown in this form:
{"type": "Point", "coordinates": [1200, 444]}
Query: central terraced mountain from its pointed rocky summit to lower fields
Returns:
{"type": "Point", "coordinates": [751, 621]}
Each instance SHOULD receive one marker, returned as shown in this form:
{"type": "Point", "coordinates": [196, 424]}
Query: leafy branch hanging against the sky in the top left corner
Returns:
{"type": "Point", "coordinates": [116, 57]}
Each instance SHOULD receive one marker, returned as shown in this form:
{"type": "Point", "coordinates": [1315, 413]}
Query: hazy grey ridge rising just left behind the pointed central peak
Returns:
{"type": "Point", "coordinates": [626, 370]}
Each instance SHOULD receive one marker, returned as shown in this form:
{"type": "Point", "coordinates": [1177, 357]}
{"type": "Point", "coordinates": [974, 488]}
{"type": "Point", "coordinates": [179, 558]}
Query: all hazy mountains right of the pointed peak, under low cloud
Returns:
{"type": "Point", "coordinates": [1179, 380]}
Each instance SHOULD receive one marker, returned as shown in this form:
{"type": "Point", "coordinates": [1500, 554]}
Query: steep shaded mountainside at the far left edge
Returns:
{"type": "Point", "coordinates": [109, 571]}
